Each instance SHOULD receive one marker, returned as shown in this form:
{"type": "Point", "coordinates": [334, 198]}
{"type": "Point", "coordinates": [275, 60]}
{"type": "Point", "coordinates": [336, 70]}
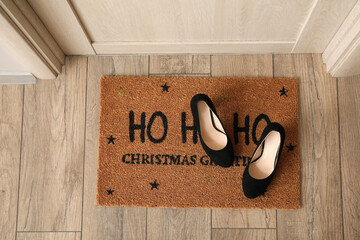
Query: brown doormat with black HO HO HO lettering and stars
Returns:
{"type": "Point", "coordinates": [150, 154]}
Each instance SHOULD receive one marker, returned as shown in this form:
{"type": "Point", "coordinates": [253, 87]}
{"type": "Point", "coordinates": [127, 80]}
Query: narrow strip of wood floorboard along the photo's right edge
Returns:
{"type": "Point", "coordinates": [349, 110]}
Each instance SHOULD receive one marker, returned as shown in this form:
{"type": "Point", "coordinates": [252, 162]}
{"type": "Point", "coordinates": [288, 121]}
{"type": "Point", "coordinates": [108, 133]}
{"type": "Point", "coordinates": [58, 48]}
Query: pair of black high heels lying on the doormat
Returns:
{"type": "Point", "coordinates": [217, 145]}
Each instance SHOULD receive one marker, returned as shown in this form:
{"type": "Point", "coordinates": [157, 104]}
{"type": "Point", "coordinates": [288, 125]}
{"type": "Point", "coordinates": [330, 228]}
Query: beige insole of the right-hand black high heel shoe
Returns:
{"type": "Point", "coordinates": [265, 164]}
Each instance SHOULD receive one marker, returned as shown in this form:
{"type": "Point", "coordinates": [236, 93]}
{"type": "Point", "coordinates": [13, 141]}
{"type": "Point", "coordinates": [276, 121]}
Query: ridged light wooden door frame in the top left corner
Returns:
{"type": "Point", "coordinates": [27, 39]}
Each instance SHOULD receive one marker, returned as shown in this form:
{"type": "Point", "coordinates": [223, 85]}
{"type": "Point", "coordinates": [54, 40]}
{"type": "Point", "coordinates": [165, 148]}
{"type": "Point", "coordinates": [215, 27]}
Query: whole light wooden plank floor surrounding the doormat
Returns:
{"type": "Point", "coordinates": [49, 148]}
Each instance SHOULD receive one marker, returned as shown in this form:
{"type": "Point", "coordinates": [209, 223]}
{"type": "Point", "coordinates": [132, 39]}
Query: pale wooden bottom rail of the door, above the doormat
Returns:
{"type": "Point", "coordinates": [223, 47]}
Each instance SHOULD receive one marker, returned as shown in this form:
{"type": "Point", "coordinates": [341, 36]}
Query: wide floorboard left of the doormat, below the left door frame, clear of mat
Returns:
{"type": "Point", "coordinates": [51, 172]}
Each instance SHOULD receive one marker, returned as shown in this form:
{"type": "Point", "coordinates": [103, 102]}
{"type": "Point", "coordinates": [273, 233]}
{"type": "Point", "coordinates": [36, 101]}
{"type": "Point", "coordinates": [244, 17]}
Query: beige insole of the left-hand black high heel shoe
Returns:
{"type": "Point", "coordinates": [212, 131]}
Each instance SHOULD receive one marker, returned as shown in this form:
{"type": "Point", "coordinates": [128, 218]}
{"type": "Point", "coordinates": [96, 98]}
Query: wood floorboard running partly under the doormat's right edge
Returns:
{"type": "Point", "coordinates": [320, 215]}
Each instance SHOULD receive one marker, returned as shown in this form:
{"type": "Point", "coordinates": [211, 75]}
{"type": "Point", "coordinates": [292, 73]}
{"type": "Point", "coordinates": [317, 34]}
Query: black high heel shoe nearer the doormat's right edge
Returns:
{"type": "Point", "coordinates": [261, 168]}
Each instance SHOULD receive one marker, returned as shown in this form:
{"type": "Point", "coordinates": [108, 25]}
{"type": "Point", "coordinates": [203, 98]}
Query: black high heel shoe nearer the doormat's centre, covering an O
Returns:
{"type": "Point", "coordinates": [213, 137]}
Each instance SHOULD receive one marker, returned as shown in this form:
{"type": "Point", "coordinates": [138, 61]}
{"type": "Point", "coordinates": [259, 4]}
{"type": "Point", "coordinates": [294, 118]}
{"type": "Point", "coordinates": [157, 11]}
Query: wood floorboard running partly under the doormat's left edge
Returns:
{"type": "Point", "coordinates": [107, 222]}
